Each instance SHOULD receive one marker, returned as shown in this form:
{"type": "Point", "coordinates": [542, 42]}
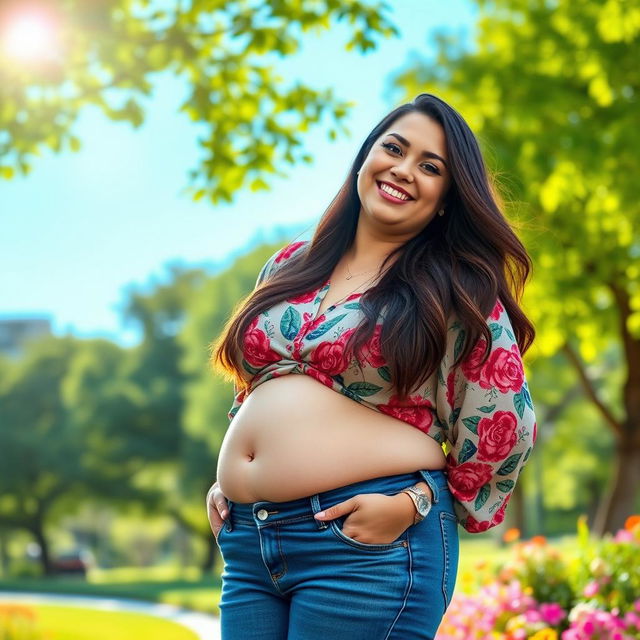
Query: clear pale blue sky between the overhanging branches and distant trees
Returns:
{"type": "Point", "coordinates": [82, 226]}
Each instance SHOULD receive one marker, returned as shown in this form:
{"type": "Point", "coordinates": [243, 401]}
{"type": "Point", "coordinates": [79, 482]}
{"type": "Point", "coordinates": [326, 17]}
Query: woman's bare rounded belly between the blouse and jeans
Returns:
{"type": "Point", "coordinates": [294, 437]}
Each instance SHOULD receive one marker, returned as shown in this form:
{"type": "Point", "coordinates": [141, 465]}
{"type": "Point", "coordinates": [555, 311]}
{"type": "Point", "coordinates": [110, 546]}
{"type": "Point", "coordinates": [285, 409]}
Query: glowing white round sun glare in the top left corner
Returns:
{"type": "Point", "coordinates": [29, 36]}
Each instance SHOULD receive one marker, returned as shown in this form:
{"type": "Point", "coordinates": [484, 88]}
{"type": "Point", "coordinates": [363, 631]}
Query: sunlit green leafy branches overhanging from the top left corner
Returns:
{"type": "Point", "coordinates": [110, 49]}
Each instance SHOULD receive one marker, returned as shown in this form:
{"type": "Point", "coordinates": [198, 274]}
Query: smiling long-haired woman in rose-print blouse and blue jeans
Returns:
{"type": "Point", "coordinates": [339, 491]}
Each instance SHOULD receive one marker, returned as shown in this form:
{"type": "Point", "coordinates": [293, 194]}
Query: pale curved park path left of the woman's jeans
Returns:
{"type": "Point", "coordinates": [207, 627]}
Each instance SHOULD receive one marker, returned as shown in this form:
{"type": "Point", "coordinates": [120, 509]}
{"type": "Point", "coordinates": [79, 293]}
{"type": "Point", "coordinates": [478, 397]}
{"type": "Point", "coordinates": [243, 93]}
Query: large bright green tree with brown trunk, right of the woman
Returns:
{"type": "Point", "coordinates": [552, 90]}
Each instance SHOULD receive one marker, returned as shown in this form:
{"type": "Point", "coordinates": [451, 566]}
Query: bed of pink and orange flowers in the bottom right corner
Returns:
{"type": "Point", "coordinates": [539, 595]}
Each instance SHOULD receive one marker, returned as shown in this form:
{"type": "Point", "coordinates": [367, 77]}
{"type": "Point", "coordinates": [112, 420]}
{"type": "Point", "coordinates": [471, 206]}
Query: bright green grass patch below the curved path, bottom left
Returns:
{"type": "Point", "coordinates": [71, 623]}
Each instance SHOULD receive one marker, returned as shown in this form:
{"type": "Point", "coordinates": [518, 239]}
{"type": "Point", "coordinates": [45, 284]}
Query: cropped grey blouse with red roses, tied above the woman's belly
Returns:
{"type": "Point", "coordinates": [482, 414]}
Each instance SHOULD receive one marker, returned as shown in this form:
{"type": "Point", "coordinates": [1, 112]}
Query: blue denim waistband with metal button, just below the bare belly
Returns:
{"type": "Point", "coordinates": [263, 512]}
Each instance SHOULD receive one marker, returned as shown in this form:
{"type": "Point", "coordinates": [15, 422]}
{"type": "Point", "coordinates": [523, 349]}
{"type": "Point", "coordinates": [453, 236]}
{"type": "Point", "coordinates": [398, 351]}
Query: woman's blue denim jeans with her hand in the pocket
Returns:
{"type": "Point", "coordinates": [288, 576]}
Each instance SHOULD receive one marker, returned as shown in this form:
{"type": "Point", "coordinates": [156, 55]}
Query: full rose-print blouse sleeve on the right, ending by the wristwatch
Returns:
{"type": "Point", "coordinates": [490, 421]}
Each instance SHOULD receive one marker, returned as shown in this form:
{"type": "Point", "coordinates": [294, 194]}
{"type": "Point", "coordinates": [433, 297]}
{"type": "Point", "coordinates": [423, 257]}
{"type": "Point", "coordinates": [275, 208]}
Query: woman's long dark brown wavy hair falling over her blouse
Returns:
{"type": "Point", "coordinates": [461, 263]}
